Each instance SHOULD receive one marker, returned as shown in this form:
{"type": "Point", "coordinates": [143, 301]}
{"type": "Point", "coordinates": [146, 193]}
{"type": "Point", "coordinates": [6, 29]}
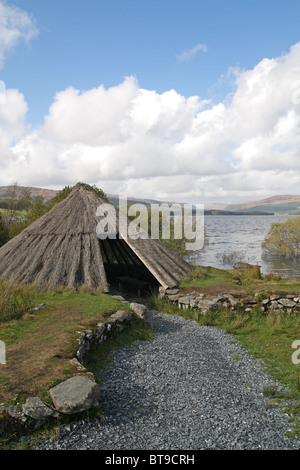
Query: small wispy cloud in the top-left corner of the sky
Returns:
{"type": "Point", "coordinates": [16, 25]}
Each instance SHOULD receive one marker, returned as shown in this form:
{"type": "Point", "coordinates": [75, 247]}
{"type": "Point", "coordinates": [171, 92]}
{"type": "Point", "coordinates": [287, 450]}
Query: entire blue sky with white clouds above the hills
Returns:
{"type": "Point", "coordinates": [178, 100]}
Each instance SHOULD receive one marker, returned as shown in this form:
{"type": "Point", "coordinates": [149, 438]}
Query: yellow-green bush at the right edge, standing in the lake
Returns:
{"type": "Point", "coordinates": [284, 238]}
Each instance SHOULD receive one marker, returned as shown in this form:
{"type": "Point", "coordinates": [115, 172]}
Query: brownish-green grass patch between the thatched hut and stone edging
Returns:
{"type": "Point", "coordinates": [40, 344]}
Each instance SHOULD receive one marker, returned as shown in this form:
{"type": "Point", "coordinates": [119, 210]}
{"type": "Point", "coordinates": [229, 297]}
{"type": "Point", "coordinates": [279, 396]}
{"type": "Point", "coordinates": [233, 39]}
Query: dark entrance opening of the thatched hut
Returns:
{"type": "Point", "coordinates": [124, 270]}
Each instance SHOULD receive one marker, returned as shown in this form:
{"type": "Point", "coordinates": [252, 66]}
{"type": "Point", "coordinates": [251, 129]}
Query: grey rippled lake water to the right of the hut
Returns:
{"type": "Point", "coordinates": [243, 236]}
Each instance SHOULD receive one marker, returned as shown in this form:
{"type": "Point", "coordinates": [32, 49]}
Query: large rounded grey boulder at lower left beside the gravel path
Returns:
{"type": "Point", "coordinates": [75, 395]}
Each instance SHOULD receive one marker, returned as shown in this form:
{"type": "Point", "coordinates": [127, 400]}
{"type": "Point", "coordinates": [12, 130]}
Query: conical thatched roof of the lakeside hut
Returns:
{"type": "Point", "coordinates": [62, 248]}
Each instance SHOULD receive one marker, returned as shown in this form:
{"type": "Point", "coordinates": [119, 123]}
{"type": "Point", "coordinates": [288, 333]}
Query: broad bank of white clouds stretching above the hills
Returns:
{"type": "Point", "coordinates": [134, 141]}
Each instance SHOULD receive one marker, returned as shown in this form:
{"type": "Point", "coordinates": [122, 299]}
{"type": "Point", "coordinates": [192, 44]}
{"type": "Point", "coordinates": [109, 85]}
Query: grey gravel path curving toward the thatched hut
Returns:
{"type": "Point", "coordinates": [183, 390]}
